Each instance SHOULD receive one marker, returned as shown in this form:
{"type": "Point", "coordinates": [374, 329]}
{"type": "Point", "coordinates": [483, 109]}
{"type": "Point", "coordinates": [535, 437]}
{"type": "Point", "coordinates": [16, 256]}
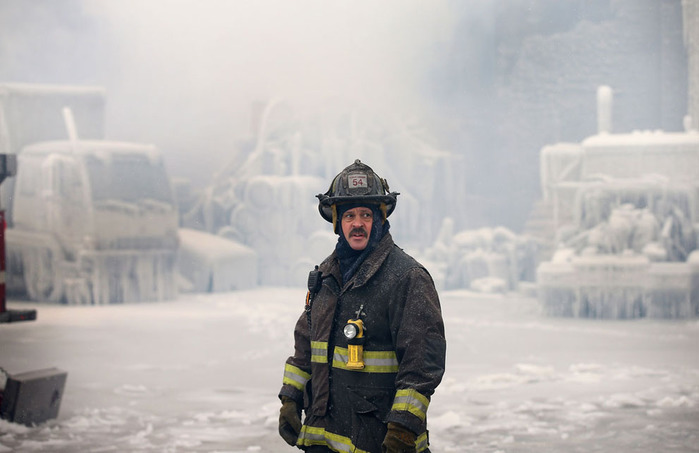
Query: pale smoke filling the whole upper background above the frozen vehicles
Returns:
{"type": "Point", "coordinates": [499, 79]}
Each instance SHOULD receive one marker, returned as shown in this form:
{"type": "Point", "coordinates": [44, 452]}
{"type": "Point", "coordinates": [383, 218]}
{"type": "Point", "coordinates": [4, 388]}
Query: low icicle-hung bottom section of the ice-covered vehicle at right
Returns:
{"type": "Point", "coordinates": [618, 286]}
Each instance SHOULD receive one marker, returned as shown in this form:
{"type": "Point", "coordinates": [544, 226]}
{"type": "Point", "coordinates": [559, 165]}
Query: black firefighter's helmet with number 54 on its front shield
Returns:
{"type": "Point", "coordinates": [356, 184]}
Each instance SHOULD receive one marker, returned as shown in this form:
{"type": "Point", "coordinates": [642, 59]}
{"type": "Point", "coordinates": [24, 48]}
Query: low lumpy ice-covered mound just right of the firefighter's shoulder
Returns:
{"type": "Point", "coordinates": [484, 260]}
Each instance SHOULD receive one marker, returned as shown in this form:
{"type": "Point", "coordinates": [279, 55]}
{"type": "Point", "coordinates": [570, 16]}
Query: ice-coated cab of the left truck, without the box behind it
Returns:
{"type": "Point", "coordinates": [94, 225]}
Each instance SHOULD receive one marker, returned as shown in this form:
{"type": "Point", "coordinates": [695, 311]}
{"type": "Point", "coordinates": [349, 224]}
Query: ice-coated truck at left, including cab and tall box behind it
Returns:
{"type": "Point", "coordinates": [89, 221]}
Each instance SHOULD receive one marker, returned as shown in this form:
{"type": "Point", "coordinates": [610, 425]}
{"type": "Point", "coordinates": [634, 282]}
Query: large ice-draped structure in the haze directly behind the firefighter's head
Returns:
{"type": "Point", "coordinates": [267, 200]}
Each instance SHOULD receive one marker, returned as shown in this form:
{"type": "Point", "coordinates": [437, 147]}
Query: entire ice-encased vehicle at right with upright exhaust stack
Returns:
{"type": "Point", "coordinates": [624, 209]}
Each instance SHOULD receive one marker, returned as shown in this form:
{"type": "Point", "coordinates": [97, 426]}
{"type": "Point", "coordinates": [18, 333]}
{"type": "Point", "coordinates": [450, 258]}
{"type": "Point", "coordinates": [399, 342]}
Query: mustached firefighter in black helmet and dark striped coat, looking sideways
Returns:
{"type": "Point", "coordinates": [370, 349]}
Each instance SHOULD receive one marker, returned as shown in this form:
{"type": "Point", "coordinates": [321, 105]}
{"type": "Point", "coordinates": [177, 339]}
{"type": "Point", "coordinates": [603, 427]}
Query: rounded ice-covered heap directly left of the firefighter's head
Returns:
{"type": "Point", "coordinates": [266, 214]}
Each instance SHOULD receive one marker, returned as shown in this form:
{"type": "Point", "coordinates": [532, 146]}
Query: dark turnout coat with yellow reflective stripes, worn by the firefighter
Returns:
{"type": "Point", "coordinates": [404, 353]}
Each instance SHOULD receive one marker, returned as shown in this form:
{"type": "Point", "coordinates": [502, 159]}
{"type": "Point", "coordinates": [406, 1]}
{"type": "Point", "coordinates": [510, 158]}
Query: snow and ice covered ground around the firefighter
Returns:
{"type": "Point", "coordinates": [201, 374]}
